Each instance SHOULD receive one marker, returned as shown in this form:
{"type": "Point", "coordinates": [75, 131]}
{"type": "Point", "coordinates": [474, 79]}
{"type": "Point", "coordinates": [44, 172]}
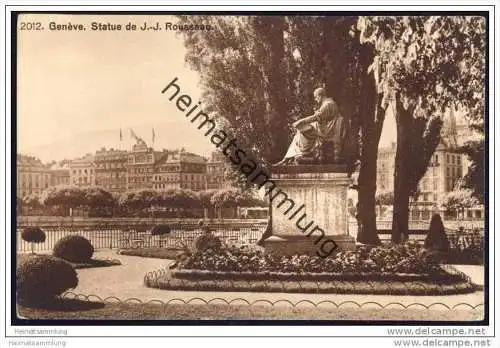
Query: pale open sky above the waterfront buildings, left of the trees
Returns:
{"type": "Point", "coordinates": [77, 89]}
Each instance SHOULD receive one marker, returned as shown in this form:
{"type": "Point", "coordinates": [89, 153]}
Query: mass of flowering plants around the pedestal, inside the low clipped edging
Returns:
{"type": "Point", "coordinates": [409, 258]}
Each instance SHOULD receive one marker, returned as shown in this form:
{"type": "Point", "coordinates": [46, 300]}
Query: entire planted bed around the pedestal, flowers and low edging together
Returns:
{"type": "Point", "coordinates": [396, 270]}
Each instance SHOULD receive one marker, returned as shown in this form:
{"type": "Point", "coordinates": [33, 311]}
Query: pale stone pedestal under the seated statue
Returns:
{"type": "Point", "coordinates": [309, 210]}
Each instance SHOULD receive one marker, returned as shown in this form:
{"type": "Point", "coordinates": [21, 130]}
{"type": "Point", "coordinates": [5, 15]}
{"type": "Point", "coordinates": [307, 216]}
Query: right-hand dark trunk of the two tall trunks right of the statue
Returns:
{"type": "Point", "coordinates": [402, 166]}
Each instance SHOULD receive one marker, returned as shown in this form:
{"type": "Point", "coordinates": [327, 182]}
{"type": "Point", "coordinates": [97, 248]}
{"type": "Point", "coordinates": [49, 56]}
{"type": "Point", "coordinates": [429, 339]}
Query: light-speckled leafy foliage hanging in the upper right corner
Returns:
{"type": "Point", "coordinates": [435, 62]}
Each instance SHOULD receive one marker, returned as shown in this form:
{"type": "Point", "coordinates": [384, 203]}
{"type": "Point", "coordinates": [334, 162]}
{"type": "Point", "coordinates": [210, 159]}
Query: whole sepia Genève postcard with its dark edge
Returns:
{"type": "Point", "coordinates": [252, 168]}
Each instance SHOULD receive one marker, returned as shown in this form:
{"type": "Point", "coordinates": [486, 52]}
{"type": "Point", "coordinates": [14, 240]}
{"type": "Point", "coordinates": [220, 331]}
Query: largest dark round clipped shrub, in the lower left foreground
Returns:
{"type": "Point", "coordinates": [40, 278]}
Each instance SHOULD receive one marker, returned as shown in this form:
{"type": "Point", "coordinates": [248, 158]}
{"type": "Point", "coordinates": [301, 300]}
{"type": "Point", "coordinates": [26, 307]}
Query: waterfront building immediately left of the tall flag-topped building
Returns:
{"type": "Point", "coordinates": [110, 170]}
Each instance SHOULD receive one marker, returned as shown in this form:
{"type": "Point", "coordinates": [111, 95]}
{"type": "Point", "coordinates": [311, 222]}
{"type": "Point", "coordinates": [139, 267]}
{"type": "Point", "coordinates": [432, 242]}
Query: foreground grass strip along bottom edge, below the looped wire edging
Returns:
{"type": "Point", "coordinates": [75, 309]}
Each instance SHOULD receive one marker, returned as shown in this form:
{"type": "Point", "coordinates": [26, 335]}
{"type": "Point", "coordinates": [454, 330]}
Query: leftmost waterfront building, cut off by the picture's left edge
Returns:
{"type": "Point", "coordinates": [32, 176]}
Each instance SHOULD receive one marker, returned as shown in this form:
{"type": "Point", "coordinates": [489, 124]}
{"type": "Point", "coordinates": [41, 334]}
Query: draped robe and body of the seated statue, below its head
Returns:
{"type": "Point", "coordinates": [328, 127]}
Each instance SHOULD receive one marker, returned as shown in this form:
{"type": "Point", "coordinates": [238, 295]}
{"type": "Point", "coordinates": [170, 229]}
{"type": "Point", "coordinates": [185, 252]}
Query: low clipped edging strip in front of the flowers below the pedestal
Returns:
{"type": "Point", "coordinates": [196, 280]}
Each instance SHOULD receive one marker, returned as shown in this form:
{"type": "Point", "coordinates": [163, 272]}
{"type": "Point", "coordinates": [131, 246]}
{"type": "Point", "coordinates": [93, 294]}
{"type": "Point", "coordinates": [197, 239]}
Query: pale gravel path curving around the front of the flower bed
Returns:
{"type": "Point", "coordinates": [126, 281]}
